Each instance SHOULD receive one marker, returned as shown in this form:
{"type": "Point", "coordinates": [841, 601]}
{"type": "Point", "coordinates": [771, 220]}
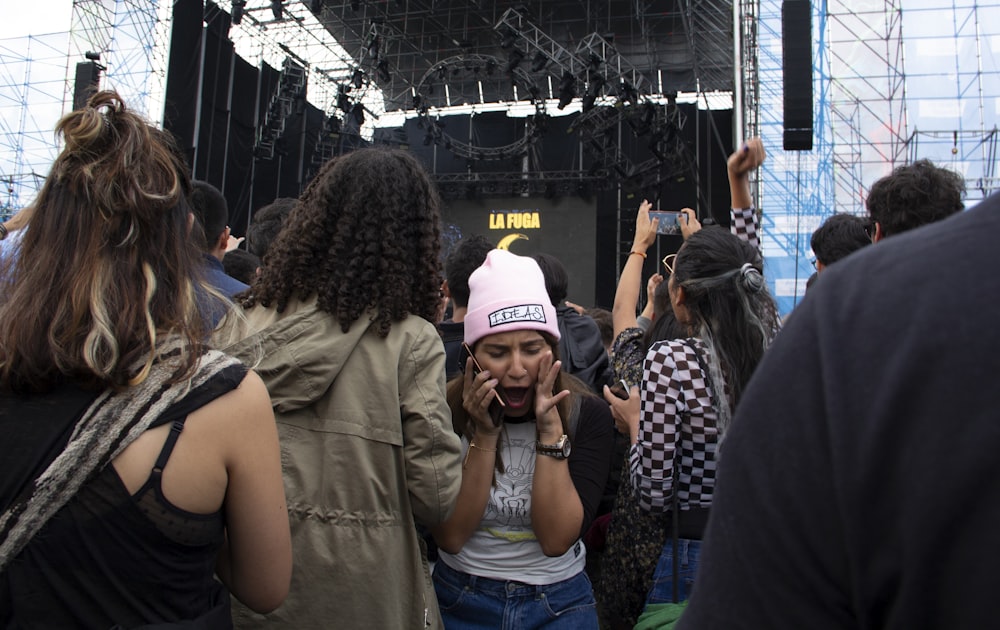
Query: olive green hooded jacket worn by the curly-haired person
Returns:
{"type": "Point", "coordinates": [367, 448]}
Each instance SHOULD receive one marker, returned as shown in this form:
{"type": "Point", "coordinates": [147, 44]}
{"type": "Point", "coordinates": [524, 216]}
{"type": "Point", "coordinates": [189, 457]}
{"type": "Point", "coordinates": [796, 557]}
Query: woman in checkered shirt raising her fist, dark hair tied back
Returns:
{"type": "Point", "coordinates": [690, 386]}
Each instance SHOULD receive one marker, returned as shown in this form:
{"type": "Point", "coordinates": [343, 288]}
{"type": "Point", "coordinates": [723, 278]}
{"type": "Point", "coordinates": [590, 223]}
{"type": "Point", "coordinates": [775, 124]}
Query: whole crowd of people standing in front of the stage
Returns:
{"type": "Point", "coordinates": [284, 430]}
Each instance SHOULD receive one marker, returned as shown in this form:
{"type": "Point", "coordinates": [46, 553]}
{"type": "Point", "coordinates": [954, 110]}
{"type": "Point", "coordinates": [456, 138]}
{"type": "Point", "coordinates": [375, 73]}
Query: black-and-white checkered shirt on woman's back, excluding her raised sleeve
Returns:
{"type": "Point", "coordinates": [677, 412]}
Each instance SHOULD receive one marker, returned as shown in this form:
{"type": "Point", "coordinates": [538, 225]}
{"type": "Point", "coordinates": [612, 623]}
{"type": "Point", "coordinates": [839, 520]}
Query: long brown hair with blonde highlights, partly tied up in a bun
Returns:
{"type": "Point", "coordinates": [106, 266]}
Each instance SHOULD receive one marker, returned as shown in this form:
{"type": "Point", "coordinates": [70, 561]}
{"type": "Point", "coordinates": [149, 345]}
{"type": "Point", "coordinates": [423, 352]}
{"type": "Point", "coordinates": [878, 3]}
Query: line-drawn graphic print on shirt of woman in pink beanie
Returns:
{"type": "Point", "coordinates": [510, 501]}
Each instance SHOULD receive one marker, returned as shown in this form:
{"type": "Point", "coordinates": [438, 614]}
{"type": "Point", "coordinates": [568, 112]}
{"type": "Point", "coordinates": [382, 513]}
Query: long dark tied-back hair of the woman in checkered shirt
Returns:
{"type": "Point", "coordinates": [731, 309]}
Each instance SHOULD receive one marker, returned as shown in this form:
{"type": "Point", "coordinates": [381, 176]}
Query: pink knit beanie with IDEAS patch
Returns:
{"type": "Point", "coordinates": [508, 293]}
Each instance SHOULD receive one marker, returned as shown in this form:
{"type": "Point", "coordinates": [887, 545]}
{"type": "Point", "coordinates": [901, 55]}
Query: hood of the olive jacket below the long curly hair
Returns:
{"type": "Point", "coordinates": [292, 350]}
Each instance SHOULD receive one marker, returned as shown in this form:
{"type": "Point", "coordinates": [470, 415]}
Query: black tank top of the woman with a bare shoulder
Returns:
{"type": "Point", "coordinates": [107, 558]}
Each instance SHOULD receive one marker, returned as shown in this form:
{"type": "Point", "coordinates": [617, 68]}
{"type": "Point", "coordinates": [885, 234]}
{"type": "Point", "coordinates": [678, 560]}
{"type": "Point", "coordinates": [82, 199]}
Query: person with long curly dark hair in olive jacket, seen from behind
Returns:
{"type": "Point", "coordinates": [341, 317]}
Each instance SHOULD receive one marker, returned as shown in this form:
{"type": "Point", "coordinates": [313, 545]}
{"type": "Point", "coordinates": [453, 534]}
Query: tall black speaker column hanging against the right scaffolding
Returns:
{"type": "Point", "coordinates": [796, 66]}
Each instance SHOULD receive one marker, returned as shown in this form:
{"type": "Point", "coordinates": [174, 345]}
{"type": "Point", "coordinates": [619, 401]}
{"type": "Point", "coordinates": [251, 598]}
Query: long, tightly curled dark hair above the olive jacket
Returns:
{"type": "Point", "coordinates": [365, 236]}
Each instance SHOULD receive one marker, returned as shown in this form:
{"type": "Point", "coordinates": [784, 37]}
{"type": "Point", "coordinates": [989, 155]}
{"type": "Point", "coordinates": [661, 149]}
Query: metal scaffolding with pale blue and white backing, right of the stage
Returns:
{"type": "Point", "coordinates": [892, 84]}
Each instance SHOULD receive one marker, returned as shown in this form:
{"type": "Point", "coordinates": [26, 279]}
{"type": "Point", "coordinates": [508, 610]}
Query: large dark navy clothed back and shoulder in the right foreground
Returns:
{"type": "Point", "coordinates": [857, 485]}
